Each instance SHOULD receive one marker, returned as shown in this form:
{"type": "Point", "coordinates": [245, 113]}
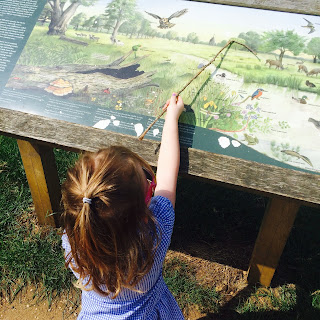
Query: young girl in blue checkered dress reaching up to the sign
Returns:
{"type": "Point", "coordinates": [116, 234]}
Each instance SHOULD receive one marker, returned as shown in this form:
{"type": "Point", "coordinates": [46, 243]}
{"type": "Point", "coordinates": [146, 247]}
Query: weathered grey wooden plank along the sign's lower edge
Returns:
{"type": "Point", "coordinates": [233, 171]}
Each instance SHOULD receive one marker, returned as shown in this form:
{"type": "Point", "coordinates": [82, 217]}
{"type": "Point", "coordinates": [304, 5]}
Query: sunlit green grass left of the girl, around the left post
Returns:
{"type": "Point", "coordinates": [28, 255]}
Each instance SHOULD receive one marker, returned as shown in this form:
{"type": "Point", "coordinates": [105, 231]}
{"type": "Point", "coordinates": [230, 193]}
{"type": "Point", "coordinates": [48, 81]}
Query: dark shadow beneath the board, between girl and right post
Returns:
{"type": "Point", "coordinates": [216, 223]}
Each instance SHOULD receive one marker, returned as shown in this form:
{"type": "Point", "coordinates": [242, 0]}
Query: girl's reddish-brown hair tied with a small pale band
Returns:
{"type": "Point", "coordinates": [113, 239]}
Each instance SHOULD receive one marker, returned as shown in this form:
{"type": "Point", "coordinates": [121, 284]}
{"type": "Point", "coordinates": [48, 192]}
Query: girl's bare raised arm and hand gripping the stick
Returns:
{"type": "Point", "coordinates": [169, 155]}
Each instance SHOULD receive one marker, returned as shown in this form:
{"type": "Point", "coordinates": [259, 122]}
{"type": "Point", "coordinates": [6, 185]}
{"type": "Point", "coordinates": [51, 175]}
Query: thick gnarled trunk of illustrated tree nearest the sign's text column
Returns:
{"type": "Point", "coordinates": [60, 16]}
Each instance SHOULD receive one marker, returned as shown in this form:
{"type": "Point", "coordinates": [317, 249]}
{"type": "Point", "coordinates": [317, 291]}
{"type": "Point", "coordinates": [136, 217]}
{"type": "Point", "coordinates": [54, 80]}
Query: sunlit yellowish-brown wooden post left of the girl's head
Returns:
{"type": "Point", "coordinates": [41, 171]}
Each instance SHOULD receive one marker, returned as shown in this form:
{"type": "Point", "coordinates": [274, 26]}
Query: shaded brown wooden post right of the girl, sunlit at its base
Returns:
{"type": "Point", "coordinates": [274, 231]}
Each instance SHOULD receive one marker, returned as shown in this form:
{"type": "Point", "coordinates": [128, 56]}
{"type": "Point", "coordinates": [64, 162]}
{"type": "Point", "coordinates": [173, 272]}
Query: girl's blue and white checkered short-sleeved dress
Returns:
{"type": "Point", "coordinates": [156, 301]}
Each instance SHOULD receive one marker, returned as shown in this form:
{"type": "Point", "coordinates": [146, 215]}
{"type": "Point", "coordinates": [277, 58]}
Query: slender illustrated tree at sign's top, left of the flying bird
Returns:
{"type": "Point", "coordinates": [119, 11]}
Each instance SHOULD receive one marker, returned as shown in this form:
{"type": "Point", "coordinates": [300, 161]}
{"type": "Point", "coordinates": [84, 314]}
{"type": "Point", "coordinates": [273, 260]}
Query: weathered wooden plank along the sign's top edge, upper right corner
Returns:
{"type": "Point", "coordinates": [306, 7]}
